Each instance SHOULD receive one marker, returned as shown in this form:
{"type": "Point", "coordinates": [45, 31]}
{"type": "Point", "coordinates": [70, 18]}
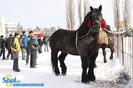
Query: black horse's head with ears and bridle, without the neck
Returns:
{"type": "Point", "coordinates": [96, 19]}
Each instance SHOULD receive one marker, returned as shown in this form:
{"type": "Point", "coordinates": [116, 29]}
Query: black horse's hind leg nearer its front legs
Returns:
{"type": "Point", "coordinates": [62, 63]}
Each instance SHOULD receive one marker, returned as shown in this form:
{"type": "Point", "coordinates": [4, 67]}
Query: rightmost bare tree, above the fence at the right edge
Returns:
{"type": "Point", "coordinates": [127, 13]}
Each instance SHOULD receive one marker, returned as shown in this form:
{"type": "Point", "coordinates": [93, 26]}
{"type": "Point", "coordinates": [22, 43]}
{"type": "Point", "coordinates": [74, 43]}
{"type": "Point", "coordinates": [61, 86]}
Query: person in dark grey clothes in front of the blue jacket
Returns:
{"type": "Point", "coordinates": [32, 45]}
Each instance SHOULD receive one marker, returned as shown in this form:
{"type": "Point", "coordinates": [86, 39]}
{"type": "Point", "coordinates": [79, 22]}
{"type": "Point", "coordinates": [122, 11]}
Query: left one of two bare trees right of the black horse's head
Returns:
{"type": "Point", "coordinates": [116, 13]}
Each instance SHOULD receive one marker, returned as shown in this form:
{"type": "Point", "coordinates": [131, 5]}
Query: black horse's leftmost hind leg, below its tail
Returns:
{"type": "Point", "coordinates": [54, 61]}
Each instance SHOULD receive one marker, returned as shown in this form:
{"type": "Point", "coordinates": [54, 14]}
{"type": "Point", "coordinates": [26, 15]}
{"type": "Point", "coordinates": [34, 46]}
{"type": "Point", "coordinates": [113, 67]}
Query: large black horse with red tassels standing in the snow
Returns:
{"type": "Point", "coordinates": [83, 42]}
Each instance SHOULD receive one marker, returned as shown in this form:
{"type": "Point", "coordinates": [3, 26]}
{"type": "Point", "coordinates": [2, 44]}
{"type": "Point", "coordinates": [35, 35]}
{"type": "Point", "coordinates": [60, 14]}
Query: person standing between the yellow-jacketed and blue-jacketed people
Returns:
{"type": "Point", "coordinates": [23, 50]}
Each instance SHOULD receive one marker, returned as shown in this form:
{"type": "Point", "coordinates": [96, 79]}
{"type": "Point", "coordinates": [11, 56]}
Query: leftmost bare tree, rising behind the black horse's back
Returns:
{"type": "Point", "coordinates": [70, 7]}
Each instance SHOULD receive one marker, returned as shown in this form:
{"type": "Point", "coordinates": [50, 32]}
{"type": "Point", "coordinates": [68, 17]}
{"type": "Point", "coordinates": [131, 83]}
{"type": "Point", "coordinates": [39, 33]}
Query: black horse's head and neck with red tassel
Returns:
{"type": "Point", "coordinates": [92, 22]}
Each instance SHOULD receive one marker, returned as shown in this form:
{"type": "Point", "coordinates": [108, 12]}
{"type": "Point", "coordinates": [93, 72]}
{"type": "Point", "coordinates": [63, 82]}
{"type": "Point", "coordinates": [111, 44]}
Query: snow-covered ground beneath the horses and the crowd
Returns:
{"type": "Point", "coordinates": [108, 75]}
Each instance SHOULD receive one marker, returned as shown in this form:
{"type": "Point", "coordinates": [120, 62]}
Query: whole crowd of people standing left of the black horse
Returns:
{"type": "Point", "coordinates": [29, 45]}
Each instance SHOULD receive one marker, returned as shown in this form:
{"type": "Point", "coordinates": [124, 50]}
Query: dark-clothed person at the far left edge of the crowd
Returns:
{"type": "Point", "coordinates": [2, 46]}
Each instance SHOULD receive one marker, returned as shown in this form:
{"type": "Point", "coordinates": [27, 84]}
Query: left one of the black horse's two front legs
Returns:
{"type": "Point", "coordinates": [84, 69]}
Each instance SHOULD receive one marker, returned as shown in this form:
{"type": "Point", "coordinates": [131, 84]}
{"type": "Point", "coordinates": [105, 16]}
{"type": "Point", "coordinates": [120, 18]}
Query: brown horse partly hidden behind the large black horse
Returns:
{"type": "Point", "coordinates": [110, 44]}
